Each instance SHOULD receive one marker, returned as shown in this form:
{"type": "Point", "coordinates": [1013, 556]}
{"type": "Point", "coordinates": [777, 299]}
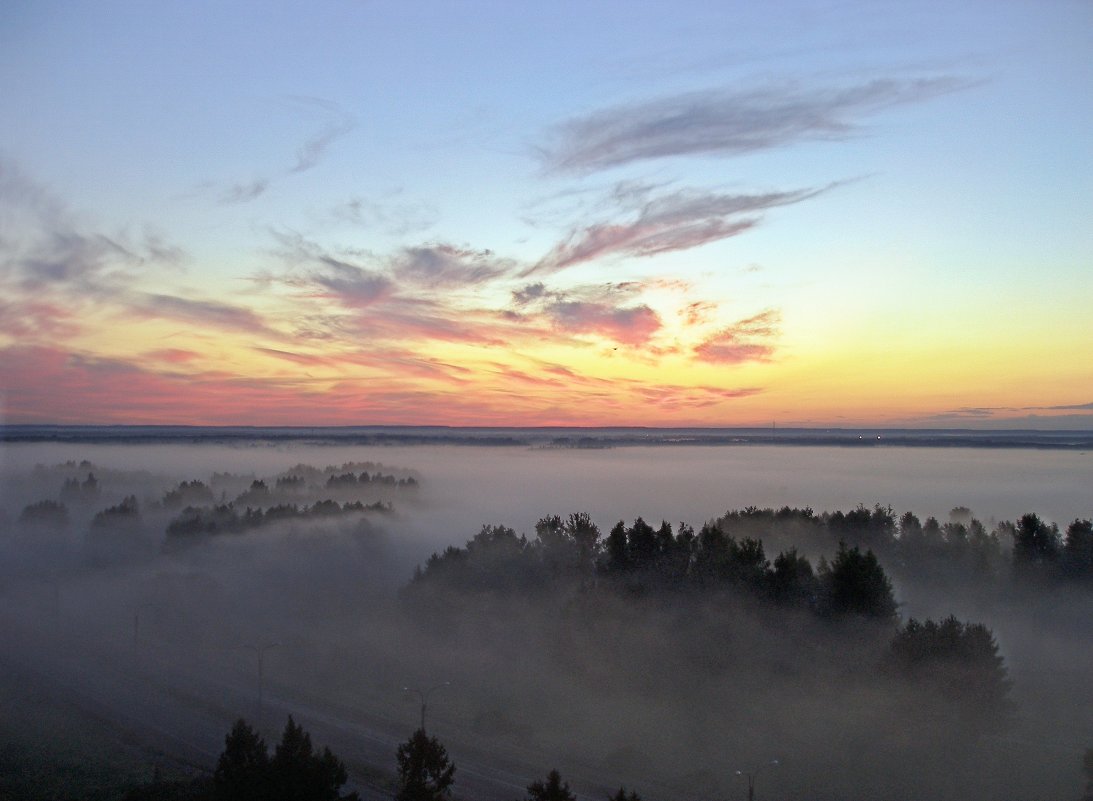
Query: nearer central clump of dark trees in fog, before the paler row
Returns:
{"type": "Point", "coordinates": [645, 560]}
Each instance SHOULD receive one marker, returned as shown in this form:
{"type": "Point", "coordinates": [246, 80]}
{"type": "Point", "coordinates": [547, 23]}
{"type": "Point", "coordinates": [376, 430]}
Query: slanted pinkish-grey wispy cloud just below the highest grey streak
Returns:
{"type": "Point", "coordinates": [676, 221]}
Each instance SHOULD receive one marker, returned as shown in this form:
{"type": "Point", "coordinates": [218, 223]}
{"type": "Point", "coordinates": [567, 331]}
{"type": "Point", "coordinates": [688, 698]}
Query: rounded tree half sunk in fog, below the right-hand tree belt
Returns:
{"type": "Point", "coordinates": [959, 662]}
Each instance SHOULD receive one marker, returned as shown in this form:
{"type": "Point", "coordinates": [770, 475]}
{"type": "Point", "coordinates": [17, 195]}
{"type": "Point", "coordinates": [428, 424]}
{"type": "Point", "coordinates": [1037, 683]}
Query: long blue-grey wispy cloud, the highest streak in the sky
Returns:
{"type": "Point", "coordinates": [730, 123]}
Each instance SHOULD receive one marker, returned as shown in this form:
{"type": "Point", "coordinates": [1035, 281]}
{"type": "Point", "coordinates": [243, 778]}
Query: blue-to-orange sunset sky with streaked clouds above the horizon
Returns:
{"type": "Point", "coordinates": [572, 214]}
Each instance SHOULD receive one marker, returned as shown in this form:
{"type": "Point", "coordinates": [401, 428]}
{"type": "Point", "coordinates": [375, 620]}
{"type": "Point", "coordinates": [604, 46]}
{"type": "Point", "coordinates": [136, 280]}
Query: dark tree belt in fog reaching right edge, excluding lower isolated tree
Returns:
{"type": "Point", "coordinates": [730, 551]}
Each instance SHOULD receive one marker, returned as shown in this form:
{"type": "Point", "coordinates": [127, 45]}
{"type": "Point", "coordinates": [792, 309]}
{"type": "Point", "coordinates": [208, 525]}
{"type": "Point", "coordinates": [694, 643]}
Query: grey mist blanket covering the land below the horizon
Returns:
{"type": "Point", "coordinates": [144, 584]}
